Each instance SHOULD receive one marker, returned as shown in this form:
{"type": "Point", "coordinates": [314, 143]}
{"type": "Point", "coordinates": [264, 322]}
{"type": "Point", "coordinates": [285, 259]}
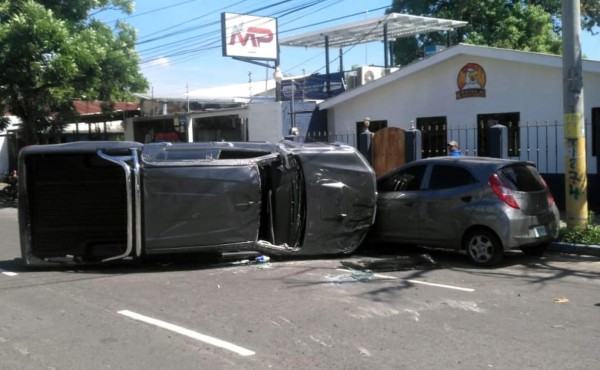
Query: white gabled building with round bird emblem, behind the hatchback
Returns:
{"type": "Point", "coordinates": [458, 93]}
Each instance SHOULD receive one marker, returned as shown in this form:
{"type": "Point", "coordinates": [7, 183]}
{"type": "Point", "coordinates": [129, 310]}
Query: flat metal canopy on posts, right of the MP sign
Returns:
{"type": "Point", "coordinates": [392, 25]}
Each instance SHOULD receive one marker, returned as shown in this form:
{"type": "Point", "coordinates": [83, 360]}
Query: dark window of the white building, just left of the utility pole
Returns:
{"type": "Point", "coordinates": [486, 121]}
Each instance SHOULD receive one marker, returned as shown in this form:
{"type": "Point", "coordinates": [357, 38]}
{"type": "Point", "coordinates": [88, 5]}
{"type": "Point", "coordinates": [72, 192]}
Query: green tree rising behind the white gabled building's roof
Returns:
{"type": "Point", "coordinates": [531, 25]}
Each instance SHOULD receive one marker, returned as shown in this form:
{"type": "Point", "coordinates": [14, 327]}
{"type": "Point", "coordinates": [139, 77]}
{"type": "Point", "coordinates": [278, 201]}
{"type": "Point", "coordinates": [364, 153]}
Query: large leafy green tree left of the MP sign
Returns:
{"type": "Point", "coordinates": [52, 52]}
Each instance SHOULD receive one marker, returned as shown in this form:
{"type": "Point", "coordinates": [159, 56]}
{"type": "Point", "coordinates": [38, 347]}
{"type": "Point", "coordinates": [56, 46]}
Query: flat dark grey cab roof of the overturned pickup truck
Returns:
{"type": "Point", "coordinates": [199, 206]}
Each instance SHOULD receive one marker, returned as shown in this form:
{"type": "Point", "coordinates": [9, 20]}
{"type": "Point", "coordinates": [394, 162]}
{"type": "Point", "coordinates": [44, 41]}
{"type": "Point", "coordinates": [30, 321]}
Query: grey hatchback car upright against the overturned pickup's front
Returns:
{"type": "Point", "coordinates": [481, 205]}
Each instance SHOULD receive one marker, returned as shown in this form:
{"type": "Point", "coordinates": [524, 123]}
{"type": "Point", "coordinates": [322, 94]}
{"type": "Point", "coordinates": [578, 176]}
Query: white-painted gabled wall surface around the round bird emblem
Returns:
{"type": "Point", "coordinates": [535, 91]}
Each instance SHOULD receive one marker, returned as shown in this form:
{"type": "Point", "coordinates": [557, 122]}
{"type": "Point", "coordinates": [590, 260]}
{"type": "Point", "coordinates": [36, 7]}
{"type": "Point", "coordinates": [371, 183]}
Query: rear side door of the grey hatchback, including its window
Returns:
{"type": "Point", "coordinates": [449, 196]}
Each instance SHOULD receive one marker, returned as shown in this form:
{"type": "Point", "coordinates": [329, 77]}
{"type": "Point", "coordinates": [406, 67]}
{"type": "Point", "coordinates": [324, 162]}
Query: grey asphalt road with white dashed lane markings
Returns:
{"type": "Point", "coordinates": [529, 313]}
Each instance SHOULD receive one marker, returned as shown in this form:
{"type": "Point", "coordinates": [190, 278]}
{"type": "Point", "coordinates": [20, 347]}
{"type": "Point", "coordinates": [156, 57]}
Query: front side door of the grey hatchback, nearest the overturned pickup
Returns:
{"type": "Point", "coordinates": [397, 217]}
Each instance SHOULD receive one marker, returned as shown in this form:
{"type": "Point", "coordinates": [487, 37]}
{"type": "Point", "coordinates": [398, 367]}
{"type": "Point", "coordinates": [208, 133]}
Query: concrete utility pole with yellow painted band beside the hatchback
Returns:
{"type": "Point", "coordinates": [574, 125]}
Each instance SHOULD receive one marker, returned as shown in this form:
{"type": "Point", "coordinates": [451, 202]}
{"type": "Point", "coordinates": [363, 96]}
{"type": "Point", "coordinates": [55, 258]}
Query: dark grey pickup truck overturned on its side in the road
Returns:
{"type": "Point", "coordinates": [90, 202]}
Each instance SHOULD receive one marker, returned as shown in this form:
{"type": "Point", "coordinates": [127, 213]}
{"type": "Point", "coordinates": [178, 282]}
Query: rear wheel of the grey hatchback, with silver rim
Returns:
{"type": "Point", "coordinates": [483, 248]}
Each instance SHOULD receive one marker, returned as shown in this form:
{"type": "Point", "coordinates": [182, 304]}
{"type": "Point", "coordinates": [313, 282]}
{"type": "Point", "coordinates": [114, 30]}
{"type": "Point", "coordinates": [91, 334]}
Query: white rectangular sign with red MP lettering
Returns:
{"type": "Point", "coordinates": [248, 36]}
